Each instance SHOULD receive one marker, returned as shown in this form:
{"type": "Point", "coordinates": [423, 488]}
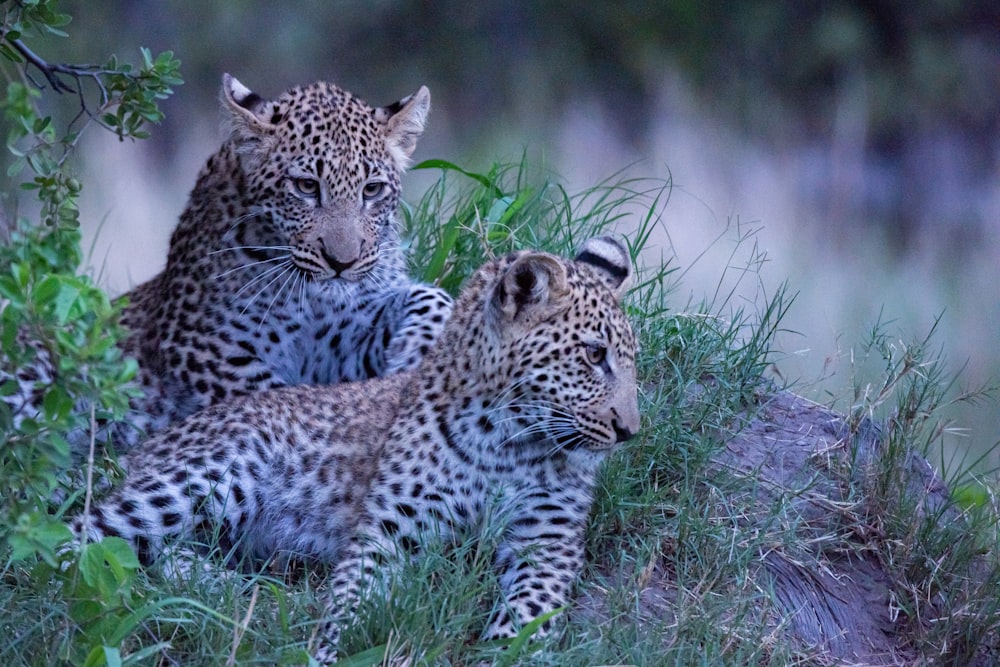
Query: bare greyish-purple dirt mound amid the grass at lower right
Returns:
{"type": "Point", "coordinates": [833, 598]}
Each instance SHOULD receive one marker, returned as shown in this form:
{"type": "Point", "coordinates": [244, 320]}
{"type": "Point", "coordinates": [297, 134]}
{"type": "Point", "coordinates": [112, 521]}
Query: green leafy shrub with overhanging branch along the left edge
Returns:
{"type": "Point", "coordinates": [59, 358]}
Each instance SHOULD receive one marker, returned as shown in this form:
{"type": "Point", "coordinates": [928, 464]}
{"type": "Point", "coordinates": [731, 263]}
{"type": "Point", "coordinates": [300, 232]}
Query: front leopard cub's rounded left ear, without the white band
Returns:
{"type": "Point", "coordinates": [531, 288]}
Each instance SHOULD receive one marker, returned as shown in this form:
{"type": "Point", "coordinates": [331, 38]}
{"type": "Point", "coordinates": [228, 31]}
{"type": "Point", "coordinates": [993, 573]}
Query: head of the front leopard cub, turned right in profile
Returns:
{"type": "Point", "coordinates": [555, 335]}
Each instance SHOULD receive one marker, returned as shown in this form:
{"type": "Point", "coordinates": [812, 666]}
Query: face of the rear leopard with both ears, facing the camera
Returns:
{"type": "Point", "coordinates": [323, 169]}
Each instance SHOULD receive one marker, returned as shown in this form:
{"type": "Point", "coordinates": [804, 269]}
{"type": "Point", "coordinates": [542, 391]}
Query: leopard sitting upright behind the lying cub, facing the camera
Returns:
{"type": "Point", "coordinates": [286, 266]}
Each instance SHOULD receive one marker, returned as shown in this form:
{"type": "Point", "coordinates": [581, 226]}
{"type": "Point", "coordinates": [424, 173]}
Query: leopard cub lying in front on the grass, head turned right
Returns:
{"type": "Point", "coordinates": [529, 388]}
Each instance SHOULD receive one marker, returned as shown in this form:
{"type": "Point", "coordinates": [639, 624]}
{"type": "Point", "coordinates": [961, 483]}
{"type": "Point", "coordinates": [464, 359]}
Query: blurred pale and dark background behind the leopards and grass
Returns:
{"type": "Point", "coordinates": [856, 144]}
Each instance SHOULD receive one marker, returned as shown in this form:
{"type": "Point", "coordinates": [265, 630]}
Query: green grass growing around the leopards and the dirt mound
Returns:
{"type": "Point", "coordinates": [665, 512]}
